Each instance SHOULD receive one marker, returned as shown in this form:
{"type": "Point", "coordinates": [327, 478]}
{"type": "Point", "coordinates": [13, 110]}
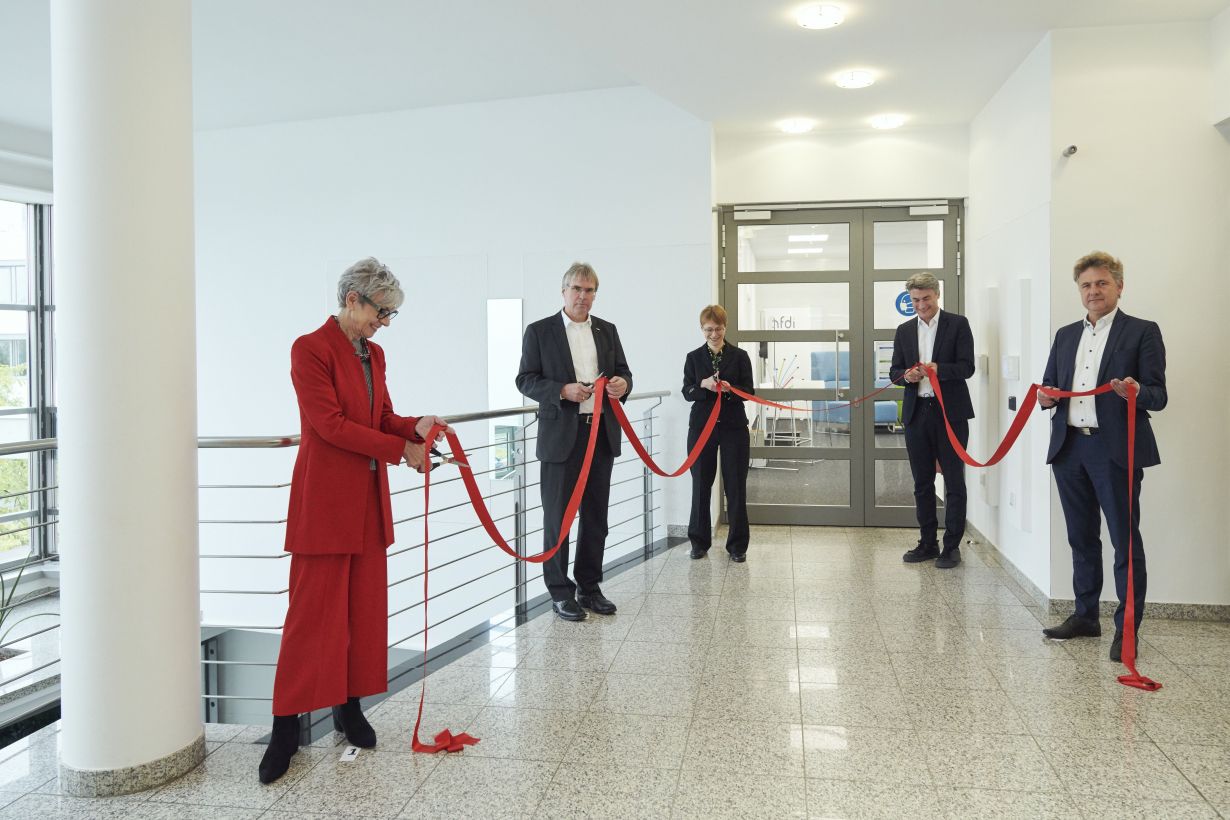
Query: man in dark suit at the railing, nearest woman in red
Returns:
{"type": "Point", "coordinates": [563, 357]}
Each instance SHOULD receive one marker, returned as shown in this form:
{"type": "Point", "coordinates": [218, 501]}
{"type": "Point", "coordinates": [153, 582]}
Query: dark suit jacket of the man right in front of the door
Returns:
{"type": "Point", "coordinates": [954, 356]}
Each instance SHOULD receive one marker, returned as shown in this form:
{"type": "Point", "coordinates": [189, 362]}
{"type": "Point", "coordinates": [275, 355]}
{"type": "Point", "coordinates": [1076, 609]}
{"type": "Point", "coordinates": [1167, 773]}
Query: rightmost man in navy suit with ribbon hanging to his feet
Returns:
{"type": "Point", "coordinates": [1089, 452]}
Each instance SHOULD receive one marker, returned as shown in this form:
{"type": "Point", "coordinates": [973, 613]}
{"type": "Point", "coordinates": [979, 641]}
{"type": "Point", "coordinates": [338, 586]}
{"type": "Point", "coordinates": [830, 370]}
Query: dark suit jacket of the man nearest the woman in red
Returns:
{"type": "Point", "coordinates": [547, 368]}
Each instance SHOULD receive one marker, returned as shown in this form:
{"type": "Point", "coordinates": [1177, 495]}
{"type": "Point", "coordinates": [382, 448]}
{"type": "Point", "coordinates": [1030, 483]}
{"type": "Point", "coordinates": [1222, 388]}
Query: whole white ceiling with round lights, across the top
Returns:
{"type": "Point", "coordinates": [741, 65]}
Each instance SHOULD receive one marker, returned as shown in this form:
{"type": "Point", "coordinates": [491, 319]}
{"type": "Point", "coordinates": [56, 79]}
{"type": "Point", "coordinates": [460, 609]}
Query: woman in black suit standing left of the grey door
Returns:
{"type": "Point", "coordinates": [718, 360]}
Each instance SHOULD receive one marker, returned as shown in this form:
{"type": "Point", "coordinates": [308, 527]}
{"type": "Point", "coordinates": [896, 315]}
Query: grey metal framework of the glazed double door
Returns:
{"type": "Point", "coordinates": [862, 454]}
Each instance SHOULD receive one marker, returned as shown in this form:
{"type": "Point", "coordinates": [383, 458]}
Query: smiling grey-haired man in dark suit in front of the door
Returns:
{"type": "Point", "coordinates": [944, 342]}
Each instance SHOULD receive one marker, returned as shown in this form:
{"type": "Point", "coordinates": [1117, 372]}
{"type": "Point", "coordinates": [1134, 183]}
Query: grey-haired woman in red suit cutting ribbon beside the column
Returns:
{"type": "Point", "coordinates": [335, 640]}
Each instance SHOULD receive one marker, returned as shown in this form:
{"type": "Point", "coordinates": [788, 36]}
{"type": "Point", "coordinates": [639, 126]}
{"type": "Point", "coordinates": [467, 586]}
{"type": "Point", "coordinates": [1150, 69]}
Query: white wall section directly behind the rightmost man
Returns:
{"type": "Point", "coordinates": [1152, 185]}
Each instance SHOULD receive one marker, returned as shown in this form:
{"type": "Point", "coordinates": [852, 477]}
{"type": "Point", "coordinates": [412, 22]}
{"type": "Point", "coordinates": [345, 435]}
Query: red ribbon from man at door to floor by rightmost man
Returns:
{"type": "Point", "coordinates": [1130, 607]}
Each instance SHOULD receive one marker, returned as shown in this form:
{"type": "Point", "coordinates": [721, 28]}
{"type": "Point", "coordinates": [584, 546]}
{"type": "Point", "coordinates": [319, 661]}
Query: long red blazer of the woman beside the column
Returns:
{"type": "Point", "coordinates": [341, 433]}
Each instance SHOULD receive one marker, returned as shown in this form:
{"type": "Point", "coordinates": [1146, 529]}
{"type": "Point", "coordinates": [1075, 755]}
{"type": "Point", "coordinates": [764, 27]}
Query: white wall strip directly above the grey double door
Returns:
{"type": "Point", "coordinates": [908, 164]}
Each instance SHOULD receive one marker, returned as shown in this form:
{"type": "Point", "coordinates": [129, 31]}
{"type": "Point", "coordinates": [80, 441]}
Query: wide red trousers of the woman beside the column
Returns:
{"type": "Point", "coordinates": [335, 644]}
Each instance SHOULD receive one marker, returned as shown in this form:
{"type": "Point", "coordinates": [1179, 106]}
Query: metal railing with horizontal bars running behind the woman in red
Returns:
{"type": "Point", "coordinates": [515, 470]}
